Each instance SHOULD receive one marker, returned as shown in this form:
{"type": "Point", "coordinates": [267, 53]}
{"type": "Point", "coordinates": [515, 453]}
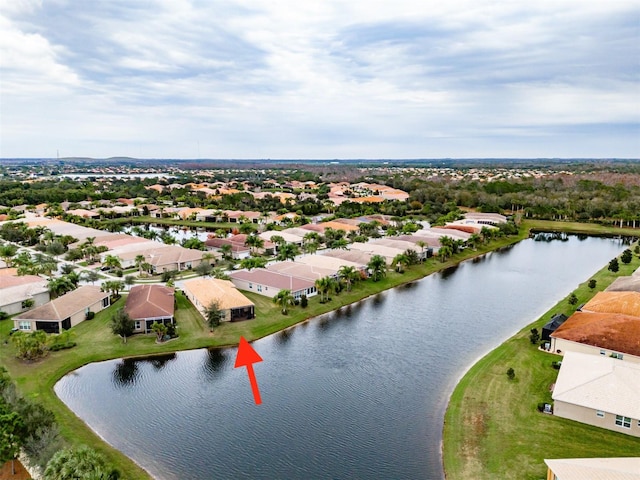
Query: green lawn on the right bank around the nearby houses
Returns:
{"type": "Point", "coordinates": [492, 427]}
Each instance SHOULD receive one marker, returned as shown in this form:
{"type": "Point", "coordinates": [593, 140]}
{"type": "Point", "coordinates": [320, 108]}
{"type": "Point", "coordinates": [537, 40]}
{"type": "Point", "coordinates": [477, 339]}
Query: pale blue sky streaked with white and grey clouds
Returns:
{"type": "Point", "coordinates": [320, 78]}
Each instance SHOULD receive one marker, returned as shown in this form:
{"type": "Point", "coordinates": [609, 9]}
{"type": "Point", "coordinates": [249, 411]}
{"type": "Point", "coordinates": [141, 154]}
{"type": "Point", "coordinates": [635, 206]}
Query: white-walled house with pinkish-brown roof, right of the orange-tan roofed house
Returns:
{"type": "Point", "coordinates": [269, 283]}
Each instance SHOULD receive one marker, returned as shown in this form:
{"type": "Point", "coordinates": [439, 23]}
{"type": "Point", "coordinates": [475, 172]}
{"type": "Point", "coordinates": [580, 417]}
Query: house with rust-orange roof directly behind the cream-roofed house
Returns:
{"type": "Point", "coordinates": [606, 334]}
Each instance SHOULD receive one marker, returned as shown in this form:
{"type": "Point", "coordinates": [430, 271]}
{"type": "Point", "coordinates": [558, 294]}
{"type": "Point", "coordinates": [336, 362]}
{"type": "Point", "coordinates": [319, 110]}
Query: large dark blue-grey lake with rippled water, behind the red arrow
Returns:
{"type": "Point", "coordinates": [359, 393]}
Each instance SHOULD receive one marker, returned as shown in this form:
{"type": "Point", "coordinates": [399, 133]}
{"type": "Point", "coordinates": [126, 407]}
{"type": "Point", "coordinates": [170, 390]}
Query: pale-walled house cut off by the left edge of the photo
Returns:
{"type": "Point", "coordinates": [18, 293]}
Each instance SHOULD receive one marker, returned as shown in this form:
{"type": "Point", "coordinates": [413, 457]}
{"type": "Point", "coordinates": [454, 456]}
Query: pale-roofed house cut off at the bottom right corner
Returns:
{"type": "Point", "coordinates": [615, 468]}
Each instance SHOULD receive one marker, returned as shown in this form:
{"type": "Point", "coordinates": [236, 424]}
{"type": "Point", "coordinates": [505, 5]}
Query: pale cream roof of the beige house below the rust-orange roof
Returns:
{"type": "Point", "coordinates": [588, 380]}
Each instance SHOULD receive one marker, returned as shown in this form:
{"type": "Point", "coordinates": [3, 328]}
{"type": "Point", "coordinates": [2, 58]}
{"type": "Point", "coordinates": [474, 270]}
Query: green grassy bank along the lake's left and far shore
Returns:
{"type": "Point", "coordinates": [96, 343]}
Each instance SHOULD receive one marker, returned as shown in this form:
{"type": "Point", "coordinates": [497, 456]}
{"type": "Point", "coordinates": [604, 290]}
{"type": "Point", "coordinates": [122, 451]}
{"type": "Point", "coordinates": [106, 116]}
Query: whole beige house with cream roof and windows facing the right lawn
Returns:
{"type": "Point", "coordinates": [599, 391]}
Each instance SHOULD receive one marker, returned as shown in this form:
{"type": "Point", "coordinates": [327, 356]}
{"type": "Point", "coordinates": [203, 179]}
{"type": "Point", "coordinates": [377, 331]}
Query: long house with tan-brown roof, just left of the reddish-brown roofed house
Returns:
{"type": "Point", "coordinates": [64, 312]}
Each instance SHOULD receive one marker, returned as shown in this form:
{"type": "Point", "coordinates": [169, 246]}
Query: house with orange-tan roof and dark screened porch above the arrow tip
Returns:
{"type": "Point", "coordinates": [234, 306]}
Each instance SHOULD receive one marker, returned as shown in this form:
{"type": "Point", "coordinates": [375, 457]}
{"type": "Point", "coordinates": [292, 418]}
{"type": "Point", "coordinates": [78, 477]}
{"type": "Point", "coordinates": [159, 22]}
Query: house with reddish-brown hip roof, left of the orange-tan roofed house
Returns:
{"type": "Point", "coordinates": [147, 304]}
